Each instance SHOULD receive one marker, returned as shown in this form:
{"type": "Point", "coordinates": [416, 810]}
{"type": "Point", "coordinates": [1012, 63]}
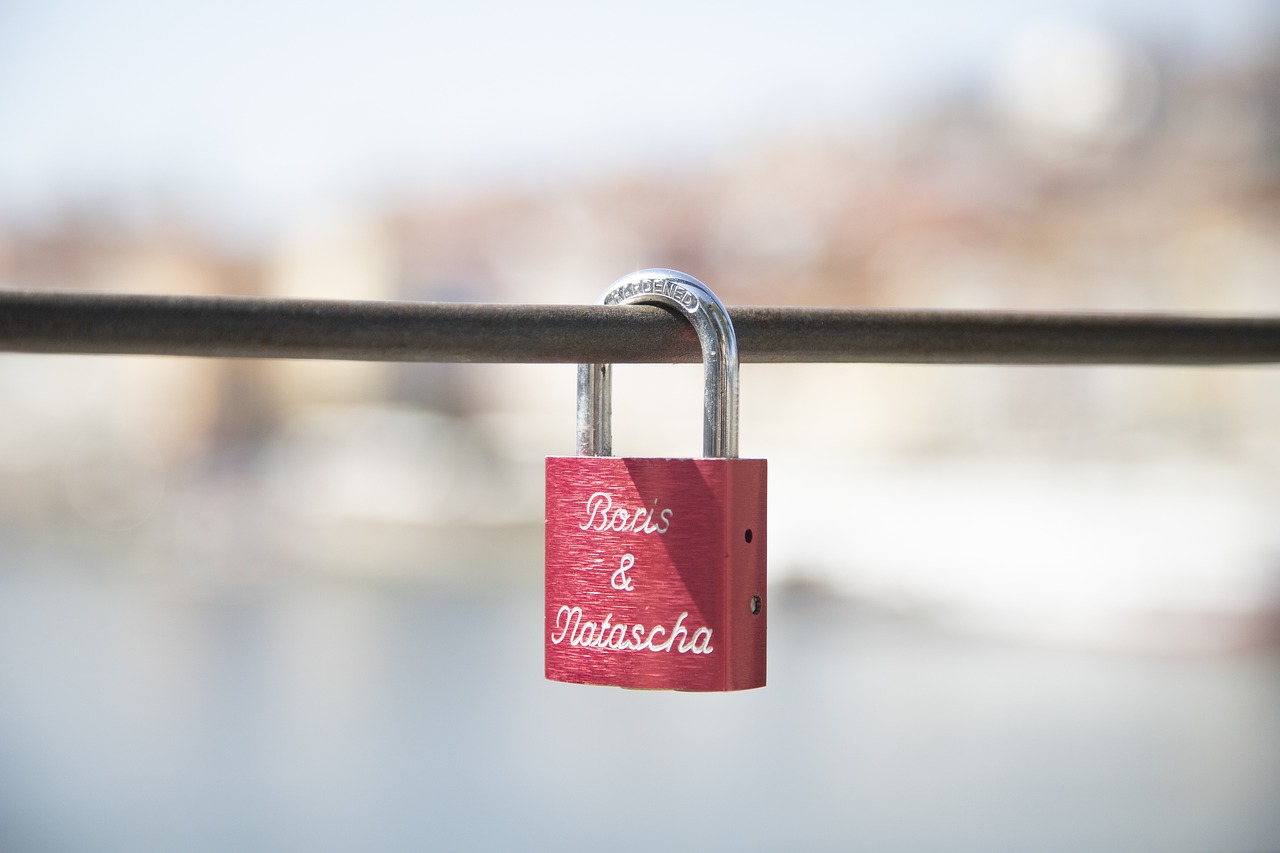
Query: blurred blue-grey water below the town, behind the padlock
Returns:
{"type": "Point", "coordinates": [321, 714]}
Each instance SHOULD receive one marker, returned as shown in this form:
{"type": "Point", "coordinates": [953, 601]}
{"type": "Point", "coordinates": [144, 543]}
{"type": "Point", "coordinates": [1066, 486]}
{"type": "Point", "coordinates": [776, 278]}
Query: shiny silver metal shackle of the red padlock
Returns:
{"type": "Point", "coordinates": [715, 330]}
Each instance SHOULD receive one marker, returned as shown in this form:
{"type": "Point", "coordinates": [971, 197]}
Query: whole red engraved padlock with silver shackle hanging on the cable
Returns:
{"type": "Point", "coordinates": [656, 568]}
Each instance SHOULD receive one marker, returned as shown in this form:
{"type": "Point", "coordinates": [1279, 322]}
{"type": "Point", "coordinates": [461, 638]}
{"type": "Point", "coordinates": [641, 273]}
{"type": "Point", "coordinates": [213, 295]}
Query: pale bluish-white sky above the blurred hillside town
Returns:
{"type": "Point", "coordinates": [259, 110]}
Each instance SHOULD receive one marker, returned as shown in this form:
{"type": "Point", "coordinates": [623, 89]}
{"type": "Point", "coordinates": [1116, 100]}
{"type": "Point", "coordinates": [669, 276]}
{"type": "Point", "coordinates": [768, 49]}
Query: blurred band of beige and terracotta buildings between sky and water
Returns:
{"type": "Point", "coordinates": [1090, 175]}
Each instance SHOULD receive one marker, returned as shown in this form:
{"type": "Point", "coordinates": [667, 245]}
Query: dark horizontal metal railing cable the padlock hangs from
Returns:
{"type": "Point", "coordinates": [277, 329]}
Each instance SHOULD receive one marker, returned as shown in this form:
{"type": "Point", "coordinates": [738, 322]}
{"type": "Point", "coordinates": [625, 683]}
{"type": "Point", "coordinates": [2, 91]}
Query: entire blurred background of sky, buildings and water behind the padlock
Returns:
{"type": "Point", "coordinates": [285, 605]}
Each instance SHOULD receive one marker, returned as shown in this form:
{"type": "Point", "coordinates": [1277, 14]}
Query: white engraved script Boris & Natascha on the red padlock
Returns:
{"type": "Point", "coordinates": [604, 514]}
